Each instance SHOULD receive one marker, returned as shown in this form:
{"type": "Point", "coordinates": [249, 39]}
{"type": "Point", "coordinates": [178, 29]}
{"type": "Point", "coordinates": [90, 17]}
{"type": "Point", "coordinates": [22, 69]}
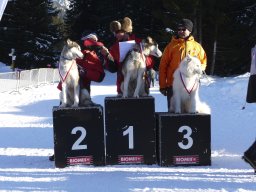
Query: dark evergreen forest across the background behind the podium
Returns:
{"type": "Point", "coordinates": [37, 29]}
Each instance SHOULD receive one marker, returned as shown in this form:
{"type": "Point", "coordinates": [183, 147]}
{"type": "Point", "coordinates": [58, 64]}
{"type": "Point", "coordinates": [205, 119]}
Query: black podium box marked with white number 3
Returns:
{"type": "Point", "coordinates": [183, 139]}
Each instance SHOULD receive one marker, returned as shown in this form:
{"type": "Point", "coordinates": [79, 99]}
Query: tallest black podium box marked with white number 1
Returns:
{"type": "Point", "coordinates": [130, 128]}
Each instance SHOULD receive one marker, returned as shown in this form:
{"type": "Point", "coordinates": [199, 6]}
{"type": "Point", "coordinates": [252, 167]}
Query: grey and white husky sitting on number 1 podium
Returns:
{"type": "Point", "coordinates": [134, 68]}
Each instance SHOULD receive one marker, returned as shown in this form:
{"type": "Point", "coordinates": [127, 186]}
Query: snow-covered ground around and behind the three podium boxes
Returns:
{"type": "Point", "coordinates": [26, 141]}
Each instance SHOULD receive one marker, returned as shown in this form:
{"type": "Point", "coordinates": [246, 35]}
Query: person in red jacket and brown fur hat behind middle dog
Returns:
{"type": "Point", "coordinates": [123, 32]}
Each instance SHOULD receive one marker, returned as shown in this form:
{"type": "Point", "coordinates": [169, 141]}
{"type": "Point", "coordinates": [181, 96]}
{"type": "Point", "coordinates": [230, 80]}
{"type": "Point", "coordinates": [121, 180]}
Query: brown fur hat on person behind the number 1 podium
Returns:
{"type": "Point", "coordinates": [124, 25]}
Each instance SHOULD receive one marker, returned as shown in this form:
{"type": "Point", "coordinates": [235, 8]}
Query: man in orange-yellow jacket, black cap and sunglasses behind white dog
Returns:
{"type": "Point", "coordinates": [180, 46]}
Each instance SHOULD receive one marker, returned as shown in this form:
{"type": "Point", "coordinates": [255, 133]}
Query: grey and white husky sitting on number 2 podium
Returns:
{"type": "Point", "coordinates": [71, 95]}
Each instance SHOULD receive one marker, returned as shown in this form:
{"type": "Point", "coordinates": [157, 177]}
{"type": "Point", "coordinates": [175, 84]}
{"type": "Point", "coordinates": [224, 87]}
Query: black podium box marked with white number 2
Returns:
{"type": "Point", "coordinates": [79, 136]}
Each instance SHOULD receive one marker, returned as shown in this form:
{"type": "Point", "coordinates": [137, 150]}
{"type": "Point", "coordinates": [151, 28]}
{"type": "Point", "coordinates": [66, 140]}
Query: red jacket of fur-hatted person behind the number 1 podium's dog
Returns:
{"type": "Point", "coordinates": [116, 66]}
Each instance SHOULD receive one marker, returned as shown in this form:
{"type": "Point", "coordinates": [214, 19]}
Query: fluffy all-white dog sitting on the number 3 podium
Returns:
{"type": "Point", "coordinates": [185, 97]}
